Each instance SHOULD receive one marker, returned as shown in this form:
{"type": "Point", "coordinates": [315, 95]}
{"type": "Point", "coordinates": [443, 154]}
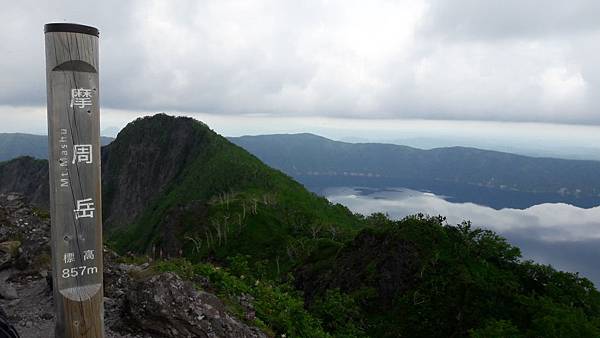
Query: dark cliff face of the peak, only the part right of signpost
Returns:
{"type": "Point", "coordinates": [146, 157]}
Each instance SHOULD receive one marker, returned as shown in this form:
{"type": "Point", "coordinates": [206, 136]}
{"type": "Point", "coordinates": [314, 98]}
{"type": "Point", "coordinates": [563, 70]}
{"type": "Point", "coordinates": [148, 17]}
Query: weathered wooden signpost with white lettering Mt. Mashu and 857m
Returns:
{"type": "Point", "coordinates": [75, 195]}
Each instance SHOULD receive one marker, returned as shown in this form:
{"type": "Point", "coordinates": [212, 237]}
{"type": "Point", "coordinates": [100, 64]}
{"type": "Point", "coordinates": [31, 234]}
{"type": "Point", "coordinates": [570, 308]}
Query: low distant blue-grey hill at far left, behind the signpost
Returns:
{"type": "Point", "coordinates": [13, 145]}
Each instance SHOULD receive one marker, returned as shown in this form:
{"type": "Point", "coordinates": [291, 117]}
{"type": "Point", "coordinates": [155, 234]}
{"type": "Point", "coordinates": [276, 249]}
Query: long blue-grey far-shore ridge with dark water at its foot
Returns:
{"type": "Point", "coordinates": [484, 177]}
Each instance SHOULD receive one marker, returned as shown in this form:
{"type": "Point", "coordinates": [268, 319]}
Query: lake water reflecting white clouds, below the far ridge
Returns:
{"type": "Point", "coordinates": [562, 235]}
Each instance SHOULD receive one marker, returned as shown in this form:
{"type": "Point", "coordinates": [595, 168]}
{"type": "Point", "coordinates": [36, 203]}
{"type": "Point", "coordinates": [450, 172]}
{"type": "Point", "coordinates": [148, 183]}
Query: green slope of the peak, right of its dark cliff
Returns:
{"type": "Point", "coordinates": [226, 202]}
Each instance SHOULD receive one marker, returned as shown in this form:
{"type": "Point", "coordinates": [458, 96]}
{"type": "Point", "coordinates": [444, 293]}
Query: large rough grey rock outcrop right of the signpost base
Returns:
{"type": "Point", "coordinates": [166, 305]}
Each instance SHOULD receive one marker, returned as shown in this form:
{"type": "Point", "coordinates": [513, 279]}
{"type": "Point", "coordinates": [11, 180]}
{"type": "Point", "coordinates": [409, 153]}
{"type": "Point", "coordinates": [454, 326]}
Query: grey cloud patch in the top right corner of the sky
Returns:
{"type": "Point", "coordinates": [510, 19]}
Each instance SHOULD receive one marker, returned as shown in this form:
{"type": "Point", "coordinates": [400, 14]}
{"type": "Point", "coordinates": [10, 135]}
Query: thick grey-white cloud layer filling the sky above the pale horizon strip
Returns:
{"type": "Point", "coordinates": [507, 60]}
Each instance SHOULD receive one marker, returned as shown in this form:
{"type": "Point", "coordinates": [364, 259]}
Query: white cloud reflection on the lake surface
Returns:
{"type": "Point", "coordinates": [551, 222]}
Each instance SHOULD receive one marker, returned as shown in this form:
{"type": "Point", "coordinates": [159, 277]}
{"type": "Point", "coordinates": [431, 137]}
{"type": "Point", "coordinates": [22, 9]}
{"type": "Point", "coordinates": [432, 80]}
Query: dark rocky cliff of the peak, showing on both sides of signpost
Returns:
{"type": "Point", "coordinates": [147, 156]}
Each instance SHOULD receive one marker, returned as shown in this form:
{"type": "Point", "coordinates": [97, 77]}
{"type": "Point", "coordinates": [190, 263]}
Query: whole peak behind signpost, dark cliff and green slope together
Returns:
{"type": "Point", "coordinates": [174, 187]}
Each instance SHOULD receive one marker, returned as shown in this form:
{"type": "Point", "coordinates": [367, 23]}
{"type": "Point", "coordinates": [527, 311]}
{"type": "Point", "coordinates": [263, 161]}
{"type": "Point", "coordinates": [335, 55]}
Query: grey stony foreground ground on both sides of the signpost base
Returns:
{"type": "Point", "coordinates": [139, 303]}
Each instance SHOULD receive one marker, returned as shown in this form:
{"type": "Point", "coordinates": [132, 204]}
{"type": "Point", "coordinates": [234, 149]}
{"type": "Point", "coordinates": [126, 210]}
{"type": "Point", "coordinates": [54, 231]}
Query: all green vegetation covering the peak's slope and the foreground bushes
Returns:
{"type": "Point", "coordinates": [290, 262]}
